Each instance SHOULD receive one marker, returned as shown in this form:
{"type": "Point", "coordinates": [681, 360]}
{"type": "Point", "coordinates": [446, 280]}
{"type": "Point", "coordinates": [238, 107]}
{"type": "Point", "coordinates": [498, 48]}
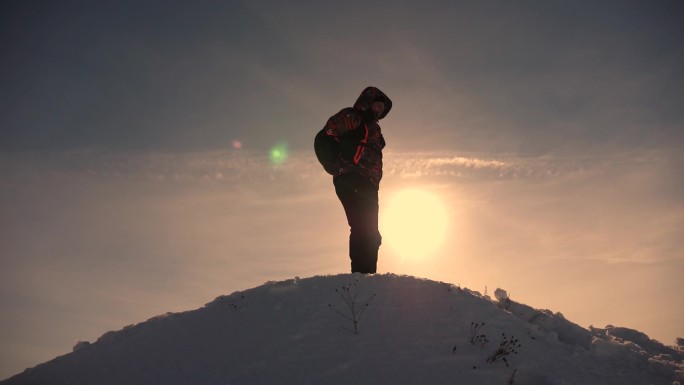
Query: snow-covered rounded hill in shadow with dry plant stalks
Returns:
{"type": "Point", "coordinates": [410, 331]}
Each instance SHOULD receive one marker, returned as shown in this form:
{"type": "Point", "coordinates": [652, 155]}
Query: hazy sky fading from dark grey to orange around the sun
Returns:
{"type": "Point", "coordinates": [135, 143]}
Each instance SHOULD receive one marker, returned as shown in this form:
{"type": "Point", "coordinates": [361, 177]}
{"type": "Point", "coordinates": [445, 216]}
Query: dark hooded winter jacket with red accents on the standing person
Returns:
{"type": "Point", "coordinates": [360, 135]}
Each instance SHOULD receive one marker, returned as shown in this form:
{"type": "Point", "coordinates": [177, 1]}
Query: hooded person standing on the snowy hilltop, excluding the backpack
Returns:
{"type": "Point", "coordinates": [358, 171]}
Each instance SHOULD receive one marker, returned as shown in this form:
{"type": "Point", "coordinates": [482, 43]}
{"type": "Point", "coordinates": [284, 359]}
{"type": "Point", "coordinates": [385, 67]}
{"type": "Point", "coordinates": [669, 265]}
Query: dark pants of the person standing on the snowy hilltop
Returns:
{"type": "Point", "coordinates": [359, 198]}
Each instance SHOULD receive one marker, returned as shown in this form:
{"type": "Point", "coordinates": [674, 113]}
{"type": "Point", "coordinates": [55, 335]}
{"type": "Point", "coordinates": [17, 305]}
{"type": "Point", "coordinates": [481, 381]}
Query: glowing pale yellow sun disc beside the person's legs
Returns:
{"type": "Point", "coordinates": [413, 223]}
